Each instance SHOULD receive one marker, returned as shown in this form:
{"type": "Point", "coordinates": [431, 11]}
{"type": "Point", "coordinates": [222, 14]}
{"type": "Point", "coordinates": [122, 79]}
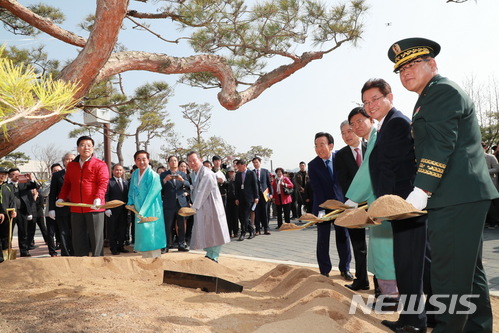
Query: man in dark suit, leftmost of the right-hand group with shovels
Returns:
{"type": "Point", "coordinates": [325, 186]}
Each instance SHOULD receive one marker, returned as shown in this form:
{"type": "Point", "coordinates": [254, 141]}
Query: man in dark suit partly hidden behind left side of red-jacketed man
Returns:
{"type": "Point", "coordinates": [61, 215]}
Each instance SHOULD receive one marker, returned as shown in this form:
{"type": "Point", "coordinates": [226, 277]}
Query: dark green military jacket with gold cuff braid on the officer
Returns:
{"type": "Point", "coordinates": [448, 147]}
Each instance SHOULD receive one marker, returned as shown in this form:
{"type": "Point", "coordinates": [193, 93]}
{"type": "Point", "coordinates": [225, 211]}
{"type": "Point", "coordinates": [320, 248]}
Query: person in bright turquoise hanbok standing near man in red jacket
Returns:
{"type": "Point", "coordinates": [145, 196]}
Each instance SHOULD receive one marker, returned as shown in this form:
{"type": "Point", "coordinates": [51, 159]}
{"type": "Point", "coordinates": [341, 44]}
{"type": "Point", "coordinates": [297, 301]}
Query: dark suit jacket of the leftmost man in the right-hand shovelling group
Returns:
{"type": "Point", "coordinates": [323, 187]}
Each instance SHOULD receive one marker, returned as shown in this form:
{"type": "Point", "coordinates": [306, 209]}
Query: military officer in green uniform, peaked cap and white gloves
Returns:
{"type": "Point", "coordinates": [452, 183]}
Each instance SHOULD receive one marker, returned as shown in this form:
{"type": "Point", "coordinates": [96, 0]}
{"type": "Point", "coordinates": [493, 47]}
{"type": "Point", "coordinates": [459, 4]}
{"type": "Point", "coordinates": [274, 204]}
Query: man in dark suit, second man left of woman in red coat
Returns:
{"type": "Point", "coordinates": [246, 187]}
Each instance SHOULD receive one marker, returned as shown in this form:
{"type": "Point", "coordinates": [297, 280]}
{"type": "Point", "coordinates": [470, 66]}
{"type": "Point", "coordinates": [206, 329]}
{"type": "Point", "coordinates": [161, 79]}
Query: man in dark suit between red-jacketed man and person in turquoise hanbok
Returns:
{"type": "Point", "coordinates": [117, 218]}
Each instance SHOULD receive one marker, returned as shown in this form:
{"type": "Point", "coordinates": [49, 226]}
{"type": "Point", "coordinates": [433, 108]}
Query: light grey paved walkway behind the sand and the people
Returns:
{"type": "Point", "coordinates": [298, 247]}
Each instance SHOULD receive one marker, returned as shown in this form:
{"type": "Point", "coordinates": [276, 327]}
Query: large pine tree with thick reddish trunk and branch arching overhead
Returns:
{"type": "Point", "coordinates": [231, 45]}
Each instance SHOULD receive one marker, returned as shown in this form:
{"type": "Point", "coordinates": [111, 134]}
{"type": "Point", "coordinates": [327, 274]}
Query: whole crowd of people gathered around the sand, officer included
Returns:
{"type": "Point", "coordinates": [435, 161]}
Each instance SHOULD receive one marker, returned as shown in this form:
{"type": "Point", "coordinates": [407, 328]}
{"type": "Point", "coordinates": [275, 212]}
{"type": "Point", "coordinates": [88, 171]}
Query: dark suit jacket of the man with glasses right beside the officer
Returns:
{"type": "Point", "coordinates": [392, 163]}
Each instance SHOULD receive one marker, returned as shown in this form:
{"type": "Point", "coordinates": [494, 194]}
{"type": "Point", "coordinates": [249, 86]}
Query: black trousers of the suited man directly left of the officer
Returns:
{"type": "Point", "coordinates": [409, 253]}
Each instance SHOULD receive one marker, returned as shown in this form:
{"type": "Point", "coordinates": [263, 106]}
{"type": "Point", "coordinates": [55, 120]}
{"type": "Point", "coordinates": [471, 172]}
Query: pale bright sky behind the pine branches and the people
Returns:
{"type": "Point", "coordinates": [318, 97]}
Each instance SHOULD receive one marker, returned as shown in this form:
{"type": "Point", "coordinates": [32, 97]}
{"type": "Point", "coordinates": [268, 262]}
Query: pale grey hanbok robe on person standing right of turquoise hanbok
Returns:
{"type": "Point", "coordinates": [210, 224]}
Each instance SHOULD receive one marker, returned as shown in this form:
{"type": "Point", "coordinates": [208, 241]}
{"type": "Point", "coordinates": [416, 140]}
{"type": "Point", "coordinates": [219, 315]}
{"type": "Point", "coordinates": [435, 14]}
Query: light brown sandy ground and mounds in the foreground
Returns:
{"type": "Point", "coordinates": [126, 294]}
